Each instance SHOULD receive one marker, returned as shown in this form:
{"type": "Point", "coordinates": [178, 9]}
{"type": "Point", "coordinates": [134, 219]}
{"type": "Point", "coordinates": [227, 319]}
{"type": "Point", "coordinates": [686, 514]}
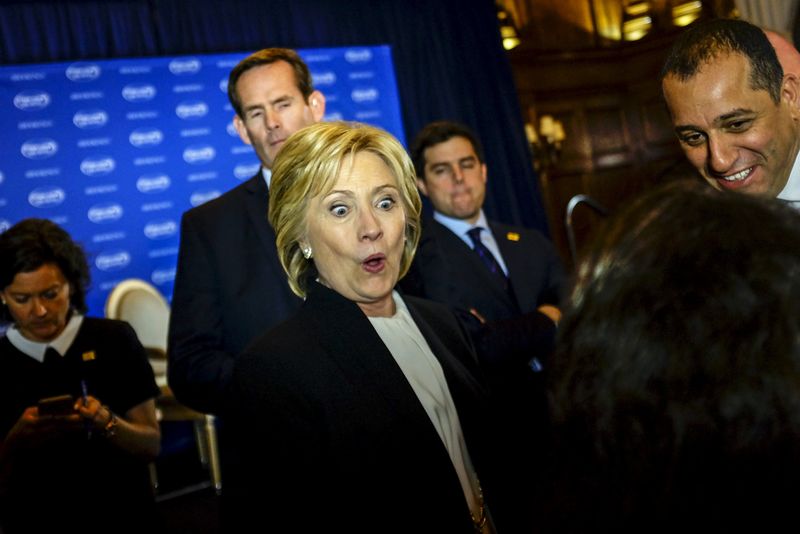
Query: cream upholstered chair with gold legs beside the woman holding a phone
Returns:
{"type": "Point", "coordinates": [140, 304]}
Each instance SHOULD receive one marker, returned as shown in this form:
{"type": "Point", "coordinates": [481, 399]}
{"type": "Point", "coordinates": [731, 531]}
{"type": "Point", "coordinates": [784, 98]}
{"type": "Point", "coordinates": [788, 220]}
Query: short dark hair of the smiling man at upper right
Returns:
{"type": "Point", "coordinates": [705, 41]}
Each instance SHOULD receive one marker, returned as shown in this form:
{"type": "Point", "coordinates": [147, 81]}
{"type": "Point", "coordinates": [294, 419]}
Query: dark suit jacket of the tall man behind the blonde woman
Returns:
{"type": "Point", "coordinates": [229, 289]}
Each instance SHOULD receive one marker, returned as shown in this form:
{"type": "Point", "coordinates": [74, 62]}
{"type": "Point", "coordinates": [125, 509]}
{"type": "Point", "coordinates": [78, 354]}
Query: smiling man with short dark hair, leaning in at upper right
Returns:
{"type": "Point", "coordinates": [736, 115]}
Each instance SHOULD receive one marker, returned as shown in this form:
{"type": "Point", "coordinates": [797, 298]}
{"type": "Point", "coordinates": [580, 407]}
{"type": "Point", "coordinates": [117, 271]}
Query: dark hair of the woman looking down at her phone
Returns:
{"type": "Point", "coordinates": [31, 243]}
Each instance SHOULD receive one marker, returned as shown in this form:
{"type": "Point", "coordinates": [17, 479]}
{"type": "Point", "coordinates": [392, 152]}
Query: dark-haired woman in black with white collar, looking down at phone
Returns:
{"type": "Point", "coordinates": [77, 413]}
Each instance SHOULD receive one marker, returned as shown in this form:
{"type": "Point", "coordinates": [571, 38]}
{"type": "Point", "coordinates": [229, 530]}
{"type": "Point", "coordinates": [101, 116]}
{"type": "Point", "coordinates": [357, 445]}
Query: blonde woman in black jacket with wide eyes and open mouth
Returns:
{"type": "Point", "coordinates": [363, 412]}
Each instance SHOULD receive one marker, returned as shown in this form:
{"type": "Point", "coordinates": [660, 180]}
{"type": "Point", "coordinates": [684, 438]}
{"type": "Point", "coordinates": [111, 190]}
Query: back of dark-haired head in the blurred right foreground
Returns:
{"type": "Point", "coordinates": [675, 390]}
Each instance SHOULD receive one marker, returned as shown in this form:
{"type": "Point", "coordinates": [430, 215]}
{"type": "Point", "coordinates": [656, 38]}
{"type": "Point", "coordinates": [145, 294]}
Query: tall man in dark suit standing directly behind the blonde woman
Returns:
{"type": "Point", "coordinates": [229, 285]}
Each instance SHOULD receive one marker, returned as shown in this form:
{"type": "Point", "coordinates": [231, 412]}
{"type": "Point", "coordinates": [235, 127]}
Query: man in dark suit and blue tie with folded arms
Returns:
{"type": "Point", "coordinates": [514, 301]}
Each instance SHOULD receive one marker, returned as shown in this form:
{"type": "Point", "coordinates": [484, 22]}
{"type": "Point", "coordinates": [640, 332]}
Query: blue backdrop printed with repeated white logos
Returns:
{"type": "Point", "coordinates": [116, 150]}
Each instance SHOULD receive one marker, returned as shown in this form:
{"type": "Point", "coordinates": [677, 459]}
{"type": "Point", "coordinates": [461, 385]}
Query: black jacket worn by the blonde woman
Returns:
{"type": "Point", "coordinates": [332, 437]}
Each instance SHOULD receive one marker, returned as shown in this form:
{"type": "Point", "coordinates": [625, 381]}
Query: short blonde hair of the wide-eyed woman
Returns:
{"type": "Point", "coordinates": [307, 166]}
